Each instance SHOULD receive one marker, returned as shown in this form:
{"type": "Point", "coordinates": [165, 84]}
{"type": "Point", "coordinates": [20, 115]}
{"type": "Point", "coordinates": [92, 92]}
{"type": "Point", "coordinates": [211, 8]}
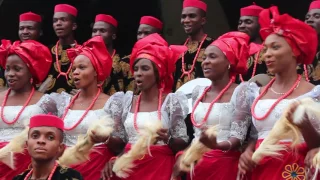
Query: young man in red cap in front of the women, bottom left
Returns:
{"type": "Point", "coordinates": [45, 145]}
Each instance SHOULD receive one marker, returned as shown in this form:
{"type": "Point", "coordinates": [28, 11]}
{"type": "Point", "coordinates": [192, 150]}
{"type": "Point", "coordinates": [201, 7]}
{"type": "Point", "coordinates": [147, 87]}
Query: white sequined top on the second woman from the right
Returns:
{"type": "Point", "coordinates": [222, 114]}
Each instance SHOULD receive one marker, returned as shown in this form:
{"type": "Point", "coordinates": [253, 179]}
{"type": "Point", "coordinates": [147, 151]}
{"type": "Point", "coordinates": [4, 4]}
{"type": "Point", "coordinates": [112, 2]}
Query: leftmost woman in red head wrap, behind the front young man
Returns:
{"type": "Point", "coordinates": [26, 64]}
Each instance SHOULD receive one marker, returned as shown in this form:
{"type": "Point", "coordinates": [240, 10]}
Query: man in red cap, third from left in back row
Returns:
{"type": "Point", "coordinates": [106, 26]}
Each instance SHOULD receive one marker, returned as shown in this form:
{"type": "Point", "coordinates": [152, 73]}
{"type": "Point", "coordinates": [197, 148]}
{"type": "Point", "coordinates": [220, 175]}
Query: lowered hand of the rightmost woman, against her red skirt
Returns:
{"type": "Point", "coordinates": [245, 162]}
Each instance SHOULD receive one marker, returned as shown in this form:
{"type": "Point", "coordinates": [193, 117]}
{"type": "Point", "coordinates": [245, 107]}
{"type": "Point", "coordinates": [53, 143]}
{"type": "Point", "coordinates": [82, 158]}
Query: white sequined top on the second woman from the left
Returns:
{"type": "Point", "coordinates": [113, 107]}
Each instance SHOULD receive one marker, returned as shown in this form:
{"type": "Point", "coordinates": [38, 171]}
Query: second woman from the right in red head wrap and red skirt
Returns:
{"type": "Point", "coordinates": [214, 105]}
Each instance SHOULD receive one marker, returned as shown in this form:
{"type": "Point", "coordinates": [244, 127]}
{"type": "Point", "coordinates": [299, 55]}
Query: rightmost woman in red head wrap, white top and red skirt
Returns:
{"type": "Point", "coordinates": [288, 42]}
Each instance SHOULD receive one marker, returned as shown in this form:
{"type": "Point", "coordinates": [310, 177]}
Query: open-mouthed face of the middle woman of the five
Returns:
{"type": "Point", "coordinates": [144, 74]}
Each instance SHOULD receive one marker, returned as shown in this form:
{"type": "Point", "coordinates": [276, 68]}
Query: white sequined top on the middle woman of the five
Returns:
{"type": "Point", "coordinates": [173, 112]}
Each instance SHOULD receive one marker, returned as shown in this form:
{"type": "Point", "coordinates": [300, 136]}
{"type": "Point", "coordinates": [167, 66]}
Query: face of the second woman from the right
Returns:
{"type": "Point", "coordinates": [215, 64]}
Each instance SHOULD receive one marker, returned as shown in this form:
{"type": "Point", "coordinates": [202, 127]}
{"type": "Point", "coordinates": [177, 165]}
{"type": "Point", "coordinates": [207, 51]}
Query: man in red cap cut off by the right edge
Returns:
{"type": "Point", "coordinates": [313, 19]}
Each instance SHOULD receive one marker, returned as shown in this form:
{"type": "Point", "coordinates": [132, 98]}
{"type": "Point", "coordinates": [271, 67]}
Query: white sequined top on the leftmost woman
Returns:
{"type": "Point", "coordinates": [7, 132]}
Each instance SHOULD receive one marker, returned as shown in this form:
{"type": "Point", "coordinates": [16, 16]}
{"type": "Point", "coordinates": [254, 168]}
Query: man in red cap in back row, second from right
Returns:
{"type": "Point", "coordinates": [249, 24]}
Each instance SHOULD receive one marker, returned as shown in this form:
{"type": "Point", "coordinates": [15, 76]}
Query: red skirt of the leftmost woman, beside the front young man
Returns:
{"type": "Point", "coordinates": [22, 162]}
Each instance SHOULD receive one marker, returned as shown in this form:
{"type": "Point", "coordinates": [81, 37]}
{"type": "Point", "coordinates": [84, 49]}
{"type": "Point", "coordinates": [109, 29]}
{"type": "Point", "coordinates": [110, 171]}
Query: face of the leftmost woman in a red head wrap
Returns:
{"type": "Point", "coordinates": [17, 73]}
